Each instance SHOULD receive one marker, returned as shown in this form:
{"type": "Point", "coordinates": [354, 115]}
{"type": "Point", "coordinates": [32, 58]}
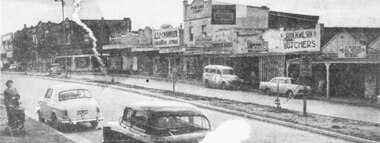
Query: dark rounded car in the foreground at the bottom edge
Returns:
{"type": "Point", "coordinates": [158, 121]}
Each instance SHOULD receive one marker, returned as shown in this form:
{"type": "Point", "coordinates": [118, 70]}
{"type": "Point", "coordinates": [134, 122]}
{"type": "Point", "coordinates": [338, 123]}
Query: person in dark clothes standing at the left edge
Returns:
{"type": "Point", "coordinates": [10, 94]}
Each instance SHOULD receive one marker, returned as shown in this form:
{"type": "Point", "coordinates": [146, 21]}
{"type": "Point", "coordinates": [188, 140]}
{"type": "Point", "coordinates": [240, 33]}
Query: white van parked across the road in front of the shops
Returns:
{"type": "Point", "coordinates": [219, 76]}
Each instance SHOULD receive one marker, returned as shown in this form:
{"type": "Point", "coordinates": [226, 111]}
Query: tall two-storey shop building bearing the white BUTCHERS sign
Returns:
{"type": "Point", "coordinates": [249, 39]}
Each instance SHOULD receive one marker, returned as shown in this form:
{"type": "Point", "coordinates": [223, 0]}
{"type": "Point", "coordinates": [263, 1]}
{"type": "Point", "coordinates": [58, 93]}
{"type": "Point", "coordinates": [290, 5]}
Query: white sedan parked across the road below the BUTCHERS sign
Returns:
{"type": "Point", "coordinates": [286, 86]}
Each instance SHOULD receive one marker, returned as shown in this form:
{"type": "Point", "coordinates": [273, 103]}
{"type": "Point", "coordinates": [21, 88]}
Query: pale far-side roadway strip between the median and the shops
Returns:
{"type": "Point", "coordinates": [354, 109]}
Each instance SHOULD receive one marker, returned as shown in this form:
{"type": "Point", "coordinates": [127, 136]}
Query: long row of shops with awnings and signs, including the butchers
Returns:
{"type": "Point", "coordinates": [255, 42]}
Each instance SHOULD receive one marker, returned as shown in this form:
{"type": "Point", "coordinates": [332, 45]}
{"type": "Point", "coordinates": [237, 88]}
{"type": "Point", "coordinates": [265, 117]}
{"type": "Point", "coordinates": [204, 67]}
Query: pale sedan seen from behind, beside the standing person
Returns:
{"type": "Point", "coordinates": [68, 104]}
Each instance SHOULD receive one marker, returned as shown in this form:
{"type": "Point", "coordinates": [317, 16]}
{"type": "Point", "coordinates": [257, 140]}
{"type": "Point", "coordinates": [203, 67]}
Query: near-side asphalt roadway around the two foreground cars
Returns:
{"type": "Point", "coordinates": [112, 102]}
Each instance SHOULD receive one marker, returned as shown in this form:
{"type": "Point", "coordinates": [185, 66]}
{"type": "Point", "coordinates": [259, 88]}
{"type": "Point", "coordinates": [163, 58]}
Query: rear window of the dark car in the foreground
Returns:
{"type": "Point", "coordinates": [173, 125]}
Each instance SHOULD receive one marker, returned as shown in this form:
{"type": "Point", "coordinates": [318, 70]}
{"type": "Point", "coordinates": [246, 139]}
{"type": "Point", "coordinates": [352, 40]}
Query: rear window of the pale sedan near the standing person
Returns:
{"type": "Point", "coordinates": [73, 94]}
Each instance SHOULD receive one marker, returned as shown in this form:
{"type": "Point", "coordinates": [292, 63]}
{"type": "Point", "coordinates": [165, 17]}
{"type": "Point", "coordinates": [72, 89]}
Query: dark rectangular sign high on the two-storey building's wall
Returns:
{"type": "Point", "coordinates": [223, 14]}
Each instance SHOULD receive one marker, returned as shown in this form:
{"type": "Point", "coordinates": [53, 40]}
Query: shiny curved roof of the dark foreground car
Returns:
{"type": "Point", "coordinates": [166, 106]}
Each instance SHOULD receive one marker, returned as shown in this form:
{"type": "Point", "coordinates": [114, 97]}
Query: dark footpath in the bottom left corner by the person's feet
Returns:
{"type": "Point", "coordinates": [36, 132]}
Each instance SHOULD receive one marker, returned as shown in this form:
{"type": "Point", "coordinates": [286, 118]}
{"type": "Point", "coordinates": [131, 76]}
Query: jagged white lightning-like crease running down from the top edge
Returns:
{"type": "Point", "coordinates": [77, 20]}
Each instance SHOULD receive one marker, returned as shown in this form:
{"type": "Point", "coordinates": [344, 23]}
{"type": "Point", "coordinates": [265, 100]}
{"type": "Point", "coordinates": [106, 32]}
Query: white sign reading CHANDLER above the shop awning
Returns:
{"type": "Point", "coordinates": [166, 37]}
